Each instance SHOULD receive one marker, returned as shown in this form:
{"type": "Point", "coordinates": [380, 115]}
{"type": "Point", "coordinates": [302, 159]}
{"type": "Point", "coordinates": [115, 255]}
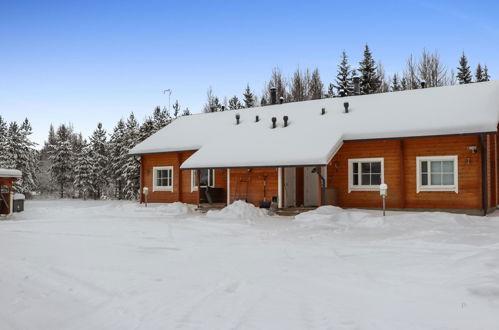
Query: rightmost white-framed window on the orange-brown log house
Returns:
{"type": "Point", "coordinates": [437, 173]}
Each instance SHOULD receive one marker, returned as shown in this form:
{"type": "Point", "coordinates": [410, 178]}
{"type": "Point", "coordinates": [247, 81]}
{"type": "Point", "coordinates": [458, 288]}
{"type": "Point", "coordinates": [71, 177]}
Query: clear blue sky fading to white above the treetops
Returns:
{"type": "Point", "coordinates": [85, 62]}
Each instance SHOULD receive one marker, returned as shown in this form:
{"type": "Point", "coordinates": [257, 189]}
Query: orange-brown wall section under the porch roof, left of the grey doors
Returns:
{"type": "Point", "coordinates": [241, 178]}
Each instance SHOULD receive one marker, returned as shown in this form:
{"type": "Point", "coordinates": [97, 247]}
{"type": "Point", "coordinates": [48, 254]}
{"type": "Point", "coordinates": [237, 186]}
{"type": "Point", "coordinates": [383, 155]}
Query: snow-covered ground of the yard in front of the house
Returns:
{"type": "Point", "coordinates": [118, 265]}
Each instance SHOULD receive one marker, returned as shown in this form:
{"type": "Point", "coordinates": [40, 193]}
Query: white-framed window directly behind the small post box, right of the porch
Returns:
{"type": "Point", "coordinates": [365, 174]}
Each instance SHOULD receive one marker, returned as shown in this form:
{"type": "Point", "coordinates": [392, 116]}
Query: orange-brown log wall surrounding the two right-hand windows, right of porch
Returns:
{"type": "Point", "coordinates": [400, 173]}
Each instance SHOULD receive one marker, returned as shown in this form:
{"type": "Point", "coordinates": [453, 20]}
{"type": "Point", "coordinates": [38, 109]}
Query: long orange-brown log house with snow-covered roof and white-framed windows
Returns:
{"type": "Point", "coordinates": [435, 148]}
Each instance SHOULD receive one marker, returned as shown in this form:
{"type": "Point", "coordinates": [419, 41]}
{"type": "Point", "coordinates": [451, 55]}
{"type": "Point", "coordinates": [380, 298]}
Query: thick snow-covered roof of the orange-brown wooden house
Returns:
{"type": "Point", "coordinates": [312, 138]}
